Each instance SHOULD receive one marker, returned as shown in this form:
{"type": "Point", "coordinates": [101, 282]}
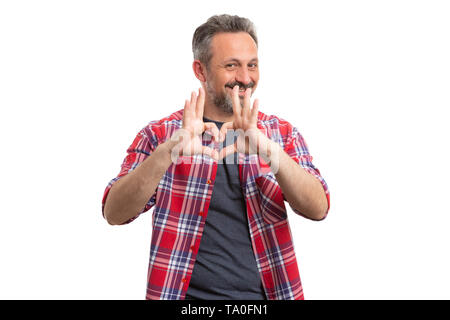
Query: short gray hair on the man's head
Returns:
{"type": "Point", "coordinates": [203, 35]}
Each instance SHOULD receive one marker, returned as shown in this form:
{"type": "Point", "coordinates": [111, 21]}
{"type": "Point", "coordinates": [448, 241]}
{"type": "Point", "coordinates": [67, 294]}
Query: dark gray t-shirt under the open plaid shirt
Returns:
{"type": "Point", "coordinates": [225, 266]}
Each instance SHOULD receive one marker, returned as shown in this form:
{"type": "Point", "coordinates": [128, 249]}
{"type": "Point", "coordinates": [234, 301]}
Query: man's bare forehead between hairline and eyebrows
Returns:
{"type": "Point", "coordinates": [238, 45]}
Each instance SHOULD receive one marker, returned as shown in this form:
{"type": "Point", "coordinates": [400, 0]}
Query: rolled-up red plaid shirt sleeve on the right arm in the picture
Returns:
{"type": "Point", "coordinates": [297, 149]}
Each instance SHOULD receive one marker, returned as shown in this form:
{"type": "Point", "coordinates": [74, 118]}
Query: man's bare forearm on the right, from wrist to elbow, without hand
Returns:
{"type": "Point", "coordinates": [302, 190]}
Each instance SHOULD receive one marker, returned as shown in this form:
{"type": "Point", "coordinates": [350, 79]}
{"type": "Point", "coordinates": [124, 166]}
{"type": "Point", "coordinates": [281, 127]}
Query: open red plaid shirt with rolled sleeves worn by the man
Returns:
{"type": "Point", "coordinates": [182, 199]}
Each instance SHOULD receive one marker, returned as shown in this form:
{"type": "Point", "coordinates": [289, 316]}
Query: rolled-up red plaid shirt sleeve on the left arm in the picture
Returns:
{"type": "Point", "coordinates": [143, 145]}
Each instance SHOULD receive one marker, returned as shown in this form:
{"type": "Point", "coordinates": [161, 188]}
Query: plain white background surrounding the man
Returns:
{"type": "Point", "coordinates": [366, 82]}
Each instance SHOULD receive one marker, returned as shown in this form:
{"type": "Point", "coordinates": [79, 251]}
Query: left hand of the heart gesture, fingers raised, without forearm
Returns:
{"type": "Point", "coordinates": [187, 141]}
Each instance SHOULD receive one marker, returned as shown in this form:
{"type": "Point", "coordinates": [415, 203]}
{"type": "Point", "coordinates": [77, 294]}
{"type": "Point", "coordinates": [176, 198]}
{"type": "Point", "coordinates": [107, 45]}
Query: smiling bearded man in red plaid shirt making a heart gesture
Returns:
{"type": "Point", "coordinates": [220, 229]}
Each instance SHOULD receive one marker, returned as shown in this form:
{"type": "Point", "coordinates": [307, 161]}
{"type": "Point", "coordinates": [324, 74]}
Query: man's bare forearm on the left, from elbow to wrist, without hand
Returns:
{"type": "Point", "coordinates": [129, 195]}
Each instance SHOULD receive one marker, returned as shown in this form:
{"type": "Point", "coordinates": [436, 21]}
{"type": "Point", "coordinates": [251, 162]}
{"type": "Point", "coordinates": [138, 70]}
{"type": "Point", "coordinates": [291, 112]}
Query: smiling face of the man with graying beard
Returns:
{"type": "Point", "coordinates": [234, 61]}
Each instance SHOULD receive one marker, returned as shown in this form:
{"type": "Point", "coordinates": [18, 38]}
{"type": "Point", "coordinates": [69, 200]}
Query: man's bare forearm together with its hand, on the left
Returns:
{"type": "Point", "coordinates": [130, 194]}
